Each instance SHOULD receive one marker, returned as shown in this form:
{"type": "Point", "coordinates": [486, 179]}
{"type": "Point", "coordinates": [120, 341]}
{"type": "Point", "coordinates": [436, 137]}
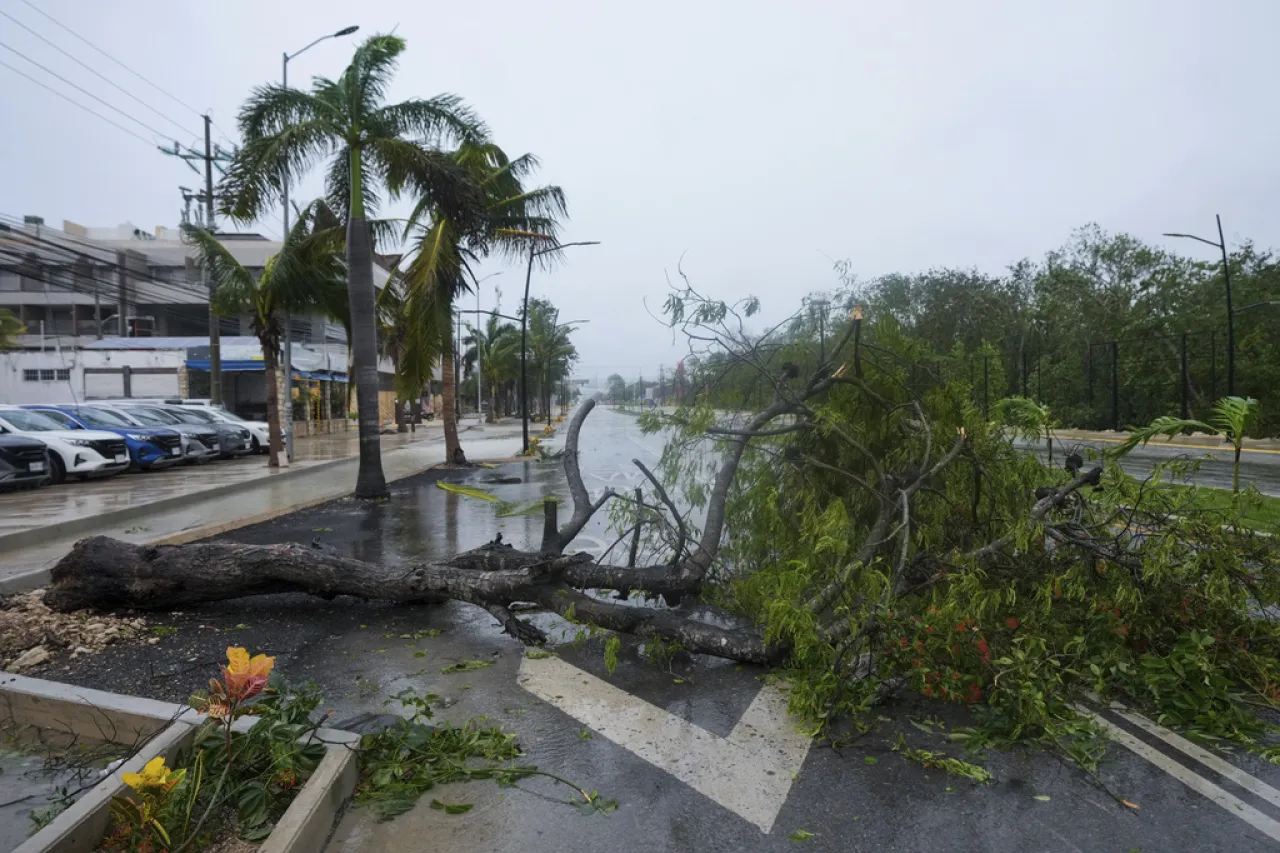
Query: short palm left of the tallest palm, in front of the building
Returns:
{"type": "Point", "coordinates": [308, 275]}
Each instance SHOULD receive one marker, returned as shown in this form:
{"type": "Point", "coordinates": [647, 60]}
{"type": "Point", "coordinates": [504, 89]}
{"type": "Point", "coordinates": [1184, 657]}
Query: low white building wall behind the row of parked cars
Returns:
{"type": "Point", "coordinates": [88, 386]}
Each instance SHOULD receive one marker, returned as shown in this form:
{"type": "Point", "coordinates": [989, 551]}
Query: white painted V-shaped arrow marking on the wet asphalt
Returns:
{"type": "Point", "coordinates": [749, 773]}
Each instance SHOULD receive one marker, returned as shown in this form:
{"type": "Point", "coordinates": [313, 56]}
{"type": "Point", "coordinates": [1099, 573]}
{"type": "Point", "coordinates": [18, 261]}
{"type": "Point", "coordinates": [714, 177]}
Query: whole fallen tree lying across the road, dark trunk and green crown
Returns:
{"type": "Point", "coordinates": [870, 524]}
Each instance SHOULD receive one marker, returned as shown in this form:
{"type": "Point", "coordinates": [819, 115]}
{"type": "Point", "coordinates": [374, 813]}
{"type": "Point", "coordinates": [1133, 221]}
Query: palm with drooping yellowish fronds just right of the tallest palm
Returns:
{"type": "Point", "coordinates": [500, 216]}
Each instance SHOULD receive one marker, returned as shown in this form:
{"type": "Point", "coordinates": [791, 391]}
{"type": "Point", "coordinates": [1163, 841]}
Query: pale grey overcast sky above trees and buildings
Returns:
{"type": "Point", "coordinates": [762, 138]}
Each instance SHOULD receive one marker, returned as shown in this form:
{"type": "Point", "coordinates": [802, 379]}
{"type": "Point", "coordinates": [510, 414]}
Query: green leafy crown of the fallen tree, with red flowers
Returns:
{"type": "Point", "coordinates": [892, 537]}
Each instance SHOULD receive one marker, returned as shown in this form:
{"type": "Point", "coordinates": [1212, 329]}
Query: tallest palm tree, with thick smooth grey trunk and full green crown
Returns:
{"type": "Point", "coordinates": [373, 147]}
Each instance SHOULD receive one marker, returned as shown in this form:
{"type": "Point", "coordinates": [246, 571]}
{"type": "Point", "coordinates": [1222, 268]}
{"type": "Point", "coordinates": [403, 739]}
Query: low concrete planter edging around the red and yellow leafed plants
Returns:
{"type": "Point", "coordinates": [167, 728]}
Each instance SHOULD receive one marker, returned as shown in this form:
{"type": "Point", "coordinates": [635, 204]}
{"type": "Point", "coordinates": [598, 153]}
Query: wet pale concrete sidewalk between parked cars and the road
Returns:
{"type": "Point", "coordinates": [195, 514]}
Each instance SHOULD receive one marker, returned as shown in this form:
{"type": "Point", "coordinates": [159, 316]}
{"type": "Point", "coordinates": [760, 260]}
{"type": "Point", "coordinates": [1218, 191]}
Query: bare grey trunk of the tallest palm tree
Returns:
{"type": "Point", "coordinates": [371, 481]}
